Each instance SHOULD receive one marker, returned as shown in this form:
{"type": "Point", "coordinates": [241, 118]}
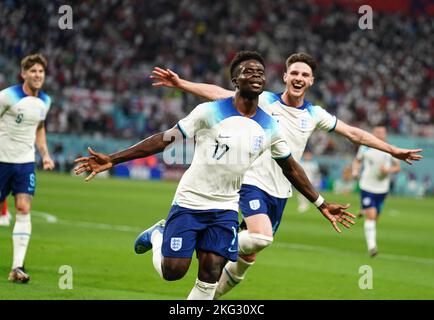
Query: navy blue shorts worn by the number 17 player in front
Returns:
{"type": "Point", "coordinates": [187, 230]}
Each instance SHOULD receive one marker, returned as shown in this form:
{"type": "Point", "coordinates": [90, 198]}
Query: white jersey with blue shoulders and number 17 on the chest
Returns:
{"type": "Point", "coordinates": [227, 143]}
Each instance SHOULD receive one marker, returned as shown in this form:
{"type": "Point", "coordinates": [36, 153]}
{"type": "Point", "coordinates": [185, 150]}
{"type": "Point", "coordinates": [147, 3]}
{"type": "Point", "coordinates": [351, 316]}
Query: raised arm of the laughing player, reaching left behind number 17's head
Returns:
{"type": "Point", "coordinates": [170, 79]}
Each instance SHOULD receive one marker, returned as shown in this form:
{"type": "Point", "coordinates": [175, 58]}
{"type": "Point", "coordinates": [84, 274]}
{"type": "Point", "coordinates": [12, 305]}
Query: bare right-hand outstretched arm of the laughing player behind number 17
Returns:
{"type": "Point", "coordinates": [363, 137]}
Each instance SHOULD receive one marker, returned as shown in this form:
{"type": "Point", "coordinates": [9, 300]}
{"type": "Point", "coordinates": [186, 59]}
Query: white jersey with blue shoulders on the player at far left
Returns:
{"type": "Point", "coordinates": [20, 115]}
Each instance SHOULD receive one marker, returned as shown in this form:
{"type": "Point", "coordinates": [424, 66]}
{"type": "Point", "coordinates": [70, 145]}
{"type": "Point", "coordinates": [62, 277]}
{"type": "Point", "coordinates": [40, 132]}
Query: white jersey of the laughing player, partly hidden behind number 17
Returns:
{"type": "Point", "coordinates": [296, 126]}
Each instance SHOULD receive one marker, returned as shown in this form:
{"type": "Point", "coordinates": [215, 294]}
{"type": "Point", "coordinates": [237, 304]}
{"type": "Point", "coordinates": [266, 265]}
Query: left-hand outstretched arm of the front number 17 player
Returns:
{"type": "Point", "coordinates": [98, 162]}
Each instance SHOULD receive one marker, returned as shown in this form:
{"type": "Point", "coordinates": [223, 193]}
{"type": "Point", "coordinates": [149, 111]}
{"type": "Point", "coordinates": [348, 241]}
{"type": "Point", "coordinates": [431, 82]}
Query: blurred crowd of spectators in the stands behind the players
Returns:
{"type": "Point", "coordinates": [99, 71]}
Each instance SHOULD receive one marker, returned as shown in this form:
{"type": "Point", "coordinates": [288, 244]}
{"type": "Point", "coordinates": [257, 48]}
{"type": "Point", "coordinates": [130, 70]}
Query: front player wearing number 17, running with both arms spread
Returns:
{"type": "Point", "coordinates": [230, 135]}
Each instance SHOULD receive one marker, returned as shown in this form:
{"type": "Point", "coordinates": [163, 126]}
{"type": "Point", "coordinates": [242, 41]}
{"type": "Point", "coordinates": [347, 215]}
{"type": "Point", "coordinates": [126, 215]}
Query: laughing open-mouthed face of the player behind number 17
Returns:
{"type": "Point", "coordinates": [298, 79]}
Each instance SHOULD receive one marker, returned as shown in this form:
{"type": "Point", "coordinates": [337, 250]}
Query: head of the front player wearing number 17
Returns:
{"type": "Point", "coordinates": [249, 79]}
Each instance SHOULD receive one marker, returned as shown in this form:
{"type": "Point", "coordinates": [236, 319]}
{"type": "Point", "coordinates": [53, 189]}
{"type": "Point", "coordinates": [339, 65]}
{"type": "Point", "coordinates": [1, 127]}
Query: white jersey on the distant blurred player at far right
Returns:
{"type": "Point", "coordinates": [371, 178]}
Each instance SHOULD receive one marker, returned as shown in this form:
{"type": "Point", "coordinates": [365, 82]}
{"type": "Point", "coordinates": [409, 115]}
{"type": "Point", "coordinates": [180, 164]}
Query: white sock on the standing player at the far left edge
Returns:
{"type": "Point", "coordinates": [20, 238]}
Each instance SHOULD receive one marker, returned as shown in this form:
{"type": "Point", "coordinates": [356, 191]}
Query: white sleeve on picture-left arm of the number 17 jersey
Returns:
{"type": "Point", "coordinates": [195, 121]}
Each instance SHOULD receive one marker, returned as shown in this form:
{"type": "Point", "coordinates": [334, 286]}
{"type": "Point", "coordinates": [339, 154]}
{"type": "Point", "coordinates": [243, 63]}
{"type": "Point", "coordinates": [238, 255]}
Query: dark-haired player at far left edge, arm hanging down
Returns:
{"type": "Point", "coordinates": [23, 109]}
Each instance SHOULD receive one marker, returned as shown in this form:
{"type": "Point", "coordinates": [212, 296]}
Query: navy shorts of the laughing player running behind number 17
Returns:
{"type": "Point", "coordinates": [254, 200]}
